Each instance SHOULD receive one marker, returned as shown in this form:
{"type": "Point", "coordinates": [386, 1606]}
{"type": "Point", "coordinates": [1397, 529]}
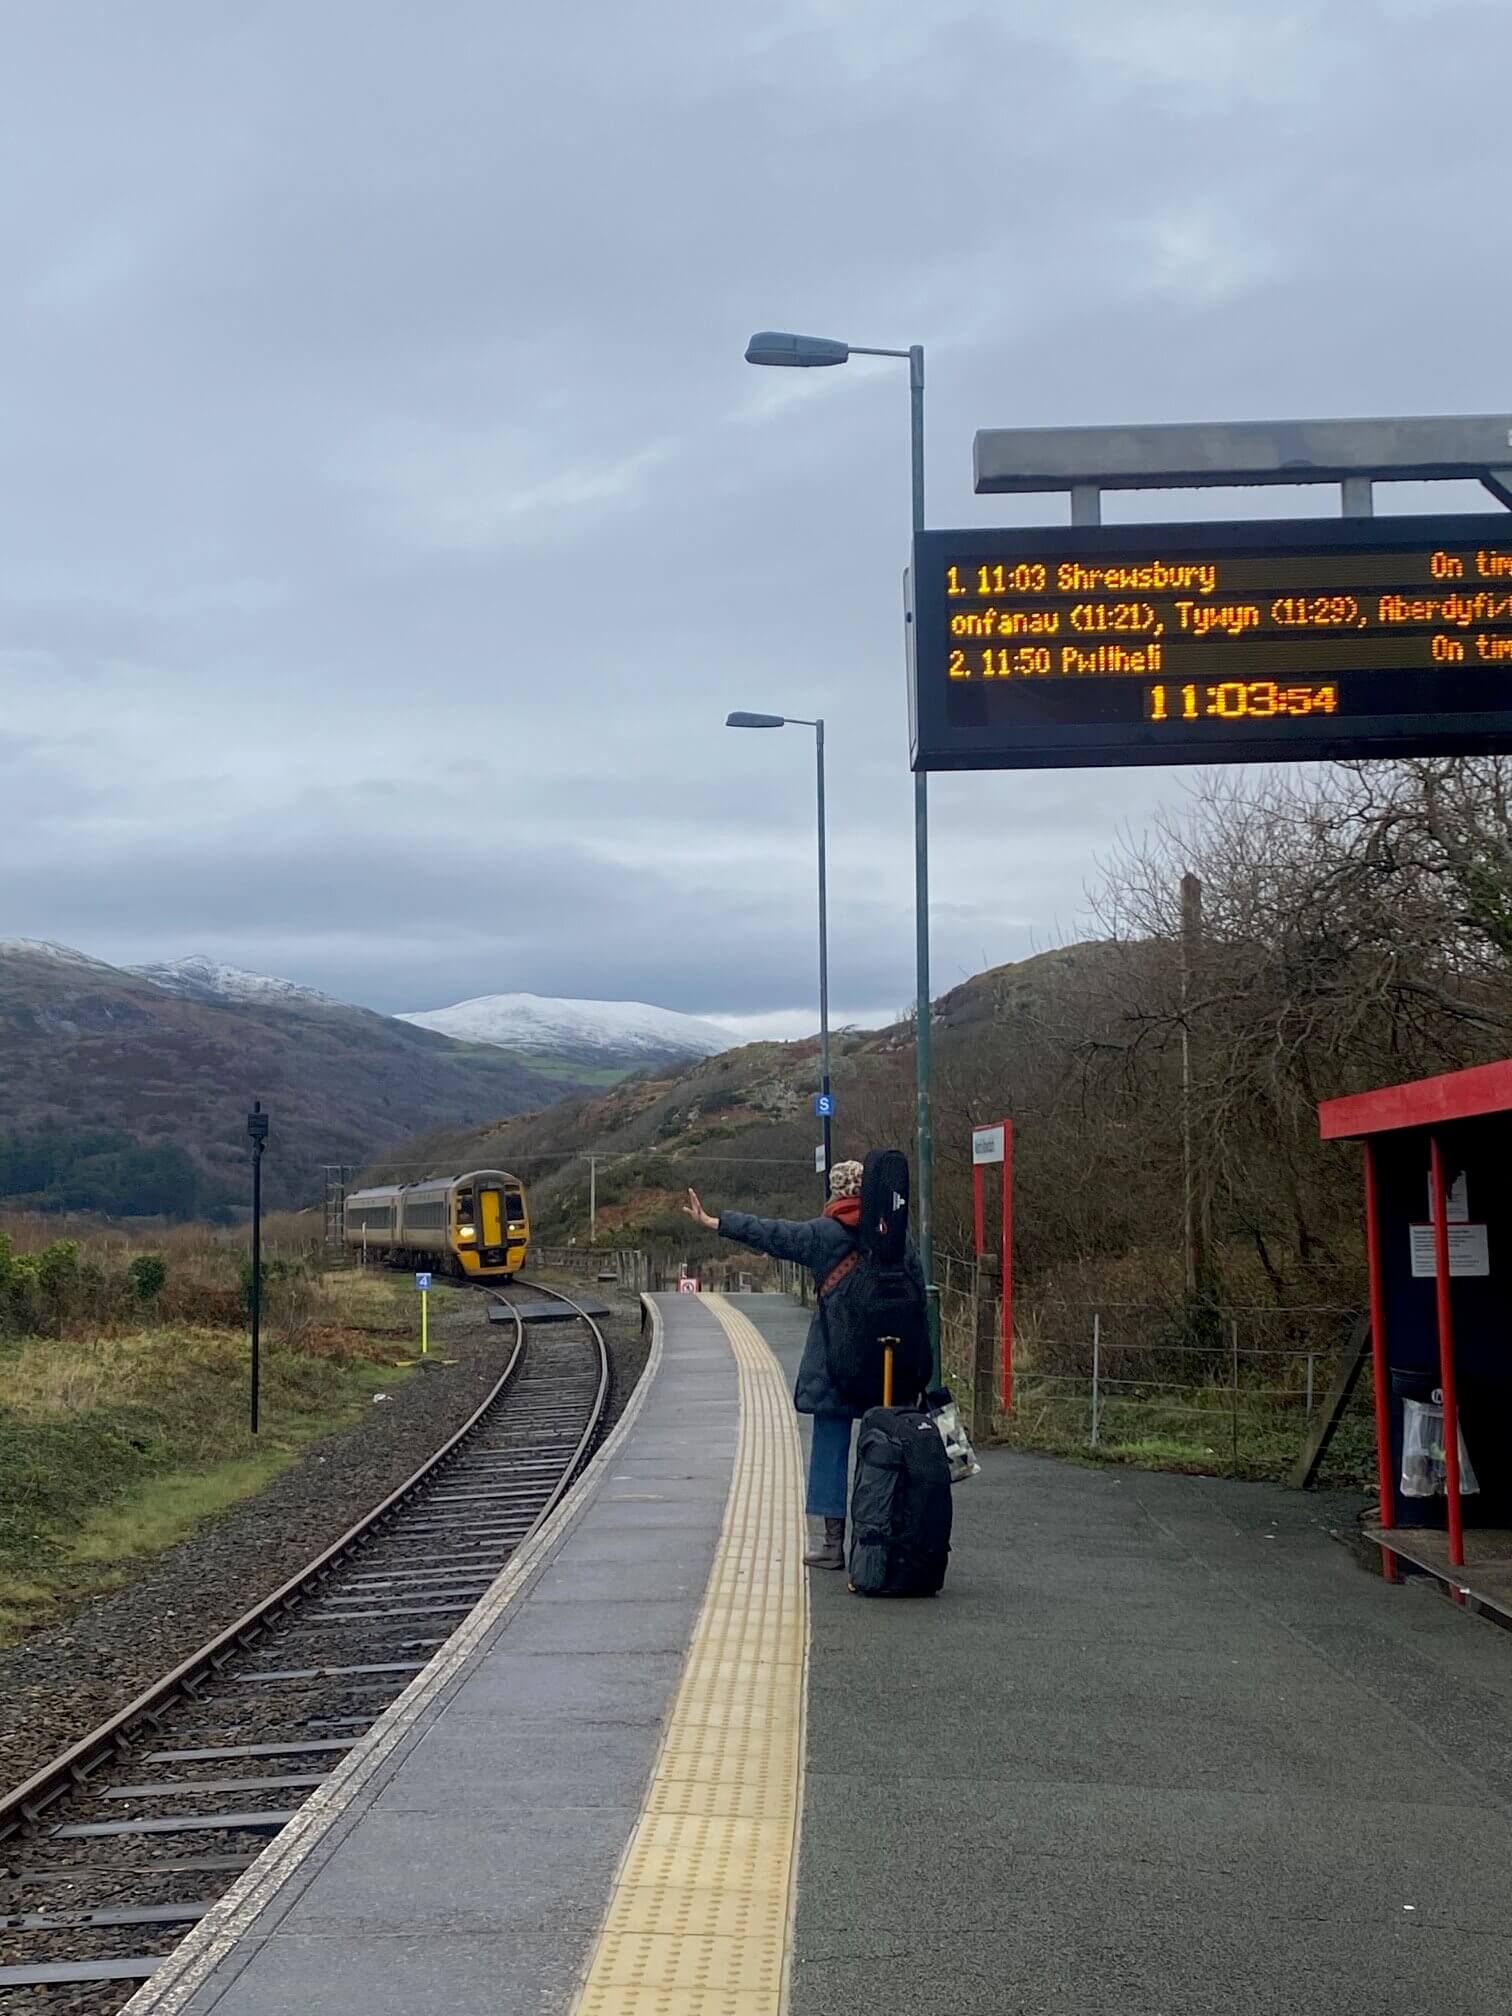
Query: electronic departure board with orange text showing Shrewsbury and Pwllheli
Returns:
{"type": "Point", "coordinates": [1263, 642]}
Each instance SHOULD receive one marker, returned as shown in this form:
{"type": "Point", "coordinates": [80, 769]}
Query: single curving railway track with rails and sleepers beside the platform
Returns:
{"type": "Point", "coordinates": [124, 1842]}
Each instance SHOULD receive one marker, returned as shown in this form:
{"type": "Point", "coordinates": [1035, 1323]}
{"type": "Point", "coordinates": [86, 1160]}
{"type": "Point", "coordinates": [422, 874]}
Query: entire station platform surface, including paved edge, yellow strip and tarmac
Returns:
{"type": "Point", "coordinates": [1162, 1747]}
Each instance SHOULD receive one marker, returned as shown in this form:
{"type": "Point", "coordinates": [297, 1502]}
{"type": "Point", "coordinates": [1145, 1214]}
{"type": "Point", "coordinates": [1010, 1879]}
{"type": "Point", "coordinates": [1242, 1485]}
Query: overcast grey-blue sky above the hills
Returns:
{"type": "Point", "coordinates": [388, 517]}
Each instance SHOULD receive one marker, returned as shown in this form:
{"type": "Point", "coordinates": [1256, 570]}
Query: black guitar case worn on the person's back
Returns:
{"type": "Point", "coordinates": [884, 1299]}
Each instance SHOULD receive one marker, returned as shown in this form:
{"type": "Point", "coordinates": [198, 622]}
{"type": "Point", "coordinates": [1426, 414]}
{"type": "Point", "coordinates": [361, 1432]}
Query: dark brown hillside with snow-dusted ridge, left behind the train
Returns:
{"type": "Point", "coordinates": [128, 1096]}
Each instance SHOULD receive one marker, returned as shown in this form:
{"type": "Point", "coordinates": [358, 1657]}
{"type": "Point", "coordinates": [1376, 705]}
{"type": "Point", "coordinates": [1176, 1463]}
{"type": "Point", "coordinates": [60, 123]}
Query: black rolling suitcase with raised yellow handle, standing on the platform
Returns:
{"type": "Point", "coordinates": [900, 1501]}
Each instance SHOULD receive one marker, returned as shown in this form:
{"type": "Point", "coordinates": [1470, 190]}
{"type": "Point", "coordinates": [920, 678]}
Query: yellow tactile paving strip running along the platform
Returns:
{"type": "Point", "coordinates": [701, 1912]}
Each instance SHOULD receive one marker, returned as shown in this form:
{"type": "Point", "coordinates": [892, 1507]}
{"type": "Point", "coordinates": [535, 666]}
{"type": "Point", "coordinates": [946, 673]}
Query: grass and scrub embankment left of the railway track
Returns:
{"type": "Point", "coordinates": [122, 1434]}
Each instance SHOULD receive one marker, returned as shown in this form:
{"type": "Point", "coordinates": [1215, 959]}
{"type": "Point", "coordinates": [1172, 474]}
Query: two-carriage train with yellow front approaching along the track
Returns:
{"type": "Point", "coordinates": [471, 1227]}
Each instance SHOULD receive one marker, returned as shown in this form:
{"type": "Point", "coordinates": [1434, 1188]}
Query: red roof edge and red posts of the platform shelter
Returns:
{"type": "Point", "coordinates": [1424, 1106]}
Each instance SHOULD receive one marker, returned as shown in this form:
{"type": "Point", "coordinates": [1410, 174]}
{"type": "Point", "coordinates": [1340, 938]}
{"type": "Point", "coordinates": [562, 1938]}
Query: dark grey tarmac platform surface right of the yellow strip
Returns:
{"type": "Point", "coordinates": [1160, 1747]}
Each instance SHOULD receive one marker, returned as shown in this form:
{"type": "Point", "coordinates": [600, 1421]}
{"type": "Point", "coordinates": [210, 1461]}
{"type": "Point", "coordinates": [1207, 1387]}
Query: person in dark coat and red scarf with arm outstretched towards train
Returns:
{"type": "Point", "coordinates": [828, 1247]}
